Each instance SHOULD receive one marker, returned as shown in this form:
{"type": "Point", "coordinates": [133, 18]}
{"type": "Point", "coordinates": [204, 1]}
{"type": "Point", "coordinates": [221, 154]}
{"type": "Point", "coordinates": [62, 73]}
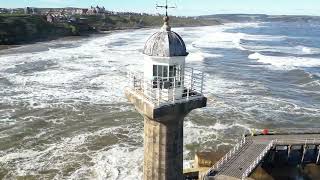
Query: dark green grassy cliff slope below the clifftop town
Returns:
{"type": "Point", "coordinates": [17, 29]}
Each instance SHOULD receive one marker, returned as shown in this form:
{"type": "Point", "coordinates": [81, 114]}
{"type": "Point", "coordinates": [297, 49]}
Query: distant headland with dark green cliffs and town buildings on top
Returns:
{"type": "Point", "coordinates": [30, 24]}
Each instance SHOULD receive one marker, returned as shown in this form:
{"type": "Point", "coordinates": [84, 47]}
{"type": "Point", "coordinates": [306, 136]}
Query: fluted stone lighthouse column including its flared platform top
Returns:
{"type": "Point", "coordinates": [163, 135]}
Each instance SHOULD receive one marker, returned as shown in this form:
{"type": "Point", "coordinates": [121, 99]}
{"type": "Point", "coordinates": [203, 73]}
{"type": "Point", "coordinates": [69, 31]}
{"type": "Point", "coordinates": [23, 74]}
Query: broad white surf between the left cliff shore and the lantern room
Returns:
{"type": "Point", "coordinates": [92, 64]}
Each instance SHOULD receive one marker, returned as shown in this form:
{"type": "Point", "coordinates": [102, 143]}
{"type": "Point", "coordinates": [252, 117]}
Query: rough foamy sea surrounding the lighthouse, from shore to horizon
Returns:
{"type": "Point", "coordinates": [64, 115]}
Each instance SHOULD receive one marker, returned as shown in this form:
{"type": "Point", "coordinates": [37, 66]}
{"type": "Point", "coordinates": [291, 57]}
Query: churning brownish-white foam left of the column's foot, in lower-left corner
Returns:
{"type": "Point", "coordinates": [60, 154]}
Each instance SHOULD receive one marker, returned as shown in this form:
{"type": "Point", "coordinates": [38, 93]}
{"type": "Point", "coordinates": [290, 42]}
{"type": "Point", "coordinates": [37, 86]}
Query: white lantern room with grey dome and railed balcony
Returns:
{"type": "Point", "coordinates": [165, 79]}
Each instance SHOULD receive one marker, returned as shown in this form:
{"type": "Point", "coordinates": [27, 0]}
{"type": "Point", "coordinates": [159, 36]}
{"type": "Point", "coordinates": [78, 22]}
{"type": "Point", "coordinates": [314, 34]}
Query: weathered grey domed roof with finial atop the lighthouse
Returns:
{"type": "Point", "coordinates": [165, 43]}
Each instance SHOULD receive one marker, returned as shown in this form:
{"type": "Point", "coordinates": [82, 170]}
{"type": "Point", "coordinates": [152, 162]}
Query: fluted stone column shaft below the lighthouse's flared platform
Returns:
{"type": "Point", "coordinates": [163, 149]}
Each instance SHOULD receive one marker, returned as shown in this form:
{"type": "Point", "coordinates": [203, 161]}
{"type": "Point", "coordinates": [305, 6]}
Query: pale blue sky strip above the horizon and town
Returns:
{"type": "Point", "coordinates": [185, 7]}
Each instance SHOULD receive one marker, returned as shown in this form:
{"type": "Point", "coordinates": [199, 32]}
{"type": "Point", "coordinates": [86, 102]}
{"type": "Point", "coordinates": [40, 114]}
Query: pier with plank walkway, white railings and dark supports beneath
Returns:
{"type": "Point", "coordinates": [246, 155]}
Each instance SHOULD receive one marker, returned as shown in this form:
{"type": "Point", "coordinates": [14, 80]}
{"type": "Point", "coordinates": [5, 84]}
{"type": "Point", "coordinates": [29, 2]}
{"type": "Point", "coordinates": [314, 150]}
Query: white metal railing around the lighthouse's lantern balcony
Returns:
{"type": "Point", "coordinates": [166, 90]}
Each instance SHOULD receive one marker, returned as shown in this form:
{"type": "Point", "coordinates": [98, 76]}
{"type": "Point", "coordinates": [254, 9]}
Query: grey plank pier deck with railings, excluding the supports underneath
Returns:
{"type": "Point", "coordinates": [241, 161]}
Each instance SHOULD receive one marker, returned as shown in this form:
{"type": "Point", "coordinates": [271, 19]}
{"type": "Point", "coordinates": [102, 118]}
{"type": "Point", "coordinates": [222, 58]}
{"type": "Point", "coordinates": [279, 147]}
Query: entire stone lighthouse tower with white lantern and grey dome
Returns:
{"type": "Point", "coordinates": [164, 93]}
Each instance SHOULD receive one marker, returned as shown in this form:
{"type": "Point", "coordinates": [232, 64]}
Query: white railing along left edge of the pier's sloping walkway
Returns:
{"type": "Point", "coordinates": [227, 156]}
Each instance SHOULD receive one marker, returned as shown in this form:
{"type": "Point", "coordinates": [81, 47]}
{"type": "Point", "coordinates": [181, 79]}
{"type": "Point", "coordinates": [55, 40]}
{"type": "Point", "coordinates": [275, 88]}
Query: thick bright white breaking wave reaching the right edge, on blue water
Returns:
{"type": "Point", "coordinates": [288, 63]}
